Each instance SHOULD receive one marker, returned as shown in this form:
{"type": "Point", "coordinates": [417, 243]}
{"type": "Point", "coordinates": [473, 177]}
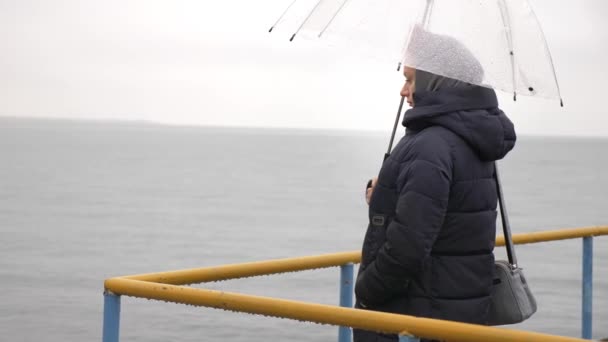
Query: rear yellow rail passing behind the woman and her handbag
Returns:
{"type": "Point", "coordinates": [250, 269]}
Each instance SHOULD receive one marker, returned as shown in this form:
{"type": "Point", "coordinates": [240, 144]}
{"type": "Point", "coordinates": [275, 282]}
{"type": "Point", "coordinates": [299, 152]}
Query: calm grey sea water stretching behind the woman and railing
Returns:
{"type": "Point", "coordinates": [84, 201]}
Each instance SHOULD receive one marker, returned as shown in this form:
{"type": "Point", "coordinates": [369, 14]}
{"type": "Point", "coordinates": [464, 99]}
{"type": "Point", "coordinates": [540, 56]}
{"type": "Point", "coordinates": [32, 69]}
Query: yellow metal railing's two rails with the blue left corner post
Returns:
{"type": "Point", "coordinates": [164, 286]}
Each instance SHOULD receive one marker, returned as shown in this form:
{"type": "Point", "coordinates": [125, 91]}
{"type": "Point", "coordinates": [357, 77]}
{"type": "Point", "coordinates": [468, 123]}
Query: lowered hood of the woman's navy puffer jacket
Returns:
{"type": "Point", "coordinates": [472, 113]}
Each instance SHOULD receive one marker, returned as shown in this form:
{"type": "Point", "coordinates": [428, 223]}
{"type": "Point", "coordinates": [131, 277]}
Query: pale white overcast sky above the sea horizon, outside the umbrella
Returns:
{"type": "Point", "coordinates": [214, 63]}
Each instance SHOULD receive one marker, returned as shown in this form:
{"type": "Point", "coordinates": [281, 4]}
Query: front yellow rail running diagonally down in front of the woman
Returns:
{"type": "Point", "coordinates": [326, 314]}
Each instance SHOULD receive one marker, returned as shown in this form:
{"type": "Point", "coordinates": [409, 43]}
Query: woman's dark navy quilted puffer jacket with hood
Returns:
{"type": "Point", "coordinates": [428, 248]}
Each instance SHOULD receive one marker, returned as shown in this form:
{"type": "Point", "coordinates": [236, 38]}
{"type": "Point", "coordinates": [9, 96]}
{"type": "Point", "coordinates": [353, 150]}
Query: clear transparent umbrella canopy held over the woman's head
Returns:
{"type": "Point", "coordinates": [491, 43]}
